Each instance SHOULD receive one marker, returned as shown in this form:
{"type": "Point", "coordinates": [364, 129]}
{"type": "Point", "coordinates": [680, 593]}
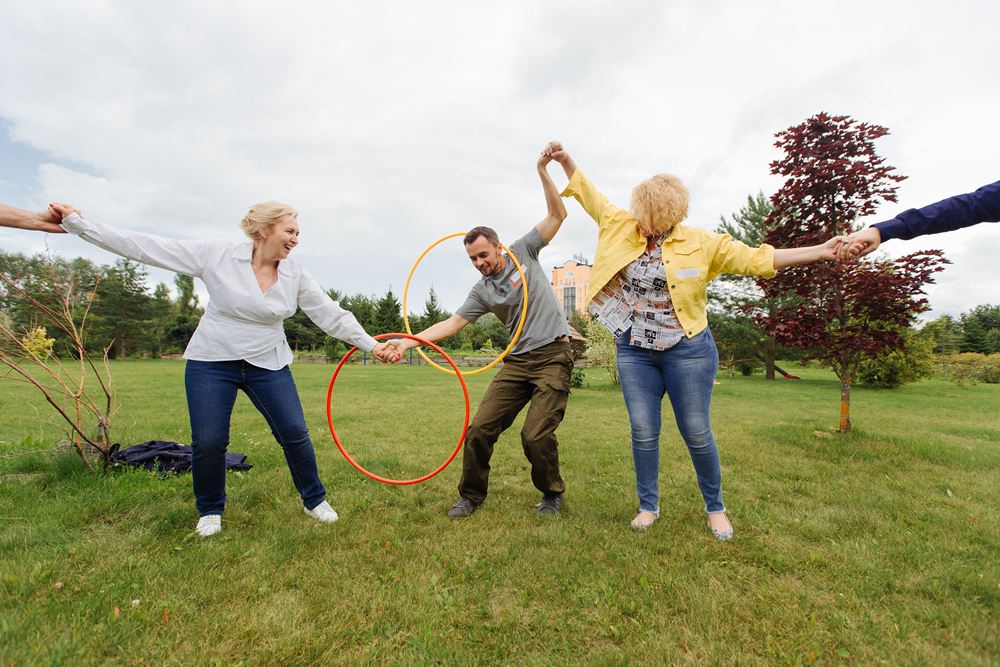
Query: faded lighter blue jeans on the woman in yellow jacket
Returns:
{"type": "Point", "coordinates": [686, 372]}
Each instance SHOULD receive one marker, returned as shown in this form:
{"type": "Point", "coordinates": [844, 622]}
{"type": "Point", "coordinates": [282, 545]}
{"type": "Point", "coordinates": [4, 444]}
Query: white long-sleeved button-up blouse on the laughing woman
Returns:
{"type": "Point", "coordinates": [240, 321]}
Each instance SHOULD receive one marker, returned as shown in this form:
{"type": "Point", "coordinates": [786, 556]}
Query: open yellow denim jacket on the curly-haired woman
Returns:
{"type": "Point", "coordinates": [692, 257]}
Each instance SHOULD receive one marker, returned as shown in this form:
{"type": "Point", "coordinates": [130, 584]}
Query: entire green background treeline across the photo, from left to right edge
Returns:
{"type": "Point", "coordinates": [135, 321]}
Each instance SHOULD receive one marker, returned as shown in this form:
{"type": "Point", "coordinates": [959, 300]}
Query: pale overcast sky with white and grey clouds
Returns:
{"type": "Point", "coordinates": [391, 124]}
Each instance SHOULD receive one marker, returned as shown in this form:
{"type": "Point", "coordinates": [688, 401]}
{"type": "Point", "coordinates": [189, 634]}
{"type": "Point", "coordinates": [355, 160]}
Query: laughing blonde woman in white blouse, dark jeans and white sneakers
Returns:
{"type": "Point", "coordinates": [240, 341]}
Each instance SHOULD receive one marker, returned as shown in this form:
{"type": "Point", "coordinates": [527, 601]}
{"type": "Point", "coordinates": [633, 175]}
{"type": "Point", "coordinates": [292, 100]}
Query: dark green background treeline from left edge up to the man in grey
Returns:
{"type": "Point", "coordinates": [132, 320]}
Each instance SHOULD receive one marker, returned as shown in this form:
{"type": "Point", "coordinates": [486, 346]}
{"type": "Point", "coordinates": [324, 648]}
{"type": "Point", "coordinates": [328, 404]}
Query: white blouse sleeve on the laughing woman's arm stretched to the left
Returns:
{"type": "Point", "coordinates": [187, 257]}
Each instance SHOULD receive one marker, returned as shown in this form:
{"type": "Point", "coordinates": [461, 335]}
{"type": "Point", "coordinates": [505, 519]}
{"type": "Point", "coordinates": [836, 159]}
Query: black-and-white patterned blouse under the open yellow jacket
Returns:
{"type": "Point", "coordinates": [638, 298]}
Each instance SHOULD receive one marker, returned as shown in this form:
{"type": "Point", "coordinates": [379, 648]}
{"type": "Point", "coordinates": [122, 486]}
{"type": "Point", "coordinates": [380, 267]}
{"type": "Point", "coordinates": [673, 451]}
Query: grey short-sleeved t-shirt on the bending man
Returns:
{"type": "Point", "coordinates": [501, 295]}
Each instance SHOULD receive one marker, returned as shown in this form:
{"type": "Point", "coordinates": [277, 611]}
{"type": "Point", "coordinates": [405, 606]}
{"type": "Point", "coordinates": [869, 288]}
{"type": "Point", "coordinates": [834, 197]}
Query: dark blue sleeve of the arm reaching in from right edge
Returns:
{"type": "Point", "coordinates": [957, 212]}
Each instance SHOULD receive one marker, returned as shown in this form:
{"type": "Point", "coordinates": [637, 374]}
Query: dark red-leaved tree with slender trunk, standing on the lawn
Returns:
{"type": "Point", "coordinates": [846, 312]}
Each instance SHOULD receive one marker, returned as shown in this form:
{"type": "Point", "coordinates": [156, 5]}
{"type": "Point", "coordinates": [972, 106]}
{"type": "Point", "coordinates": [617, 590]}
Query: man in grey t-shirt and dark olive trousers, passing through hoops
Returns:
{"type": "Point", "coordinates": [536, 372]}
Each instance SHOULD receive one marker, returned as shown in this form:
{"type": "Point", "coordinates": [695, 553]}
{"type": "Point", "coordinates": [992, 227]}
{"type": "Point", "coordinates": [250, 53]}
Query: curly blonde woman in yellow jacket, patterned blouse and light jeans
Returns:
{"type": "Point", "coordinates": [648, 287]}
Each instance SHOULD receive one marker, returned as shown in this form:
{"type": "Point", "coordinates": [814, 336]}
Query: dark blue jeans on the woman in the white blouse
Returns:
{"type": "Point", "coordinates": [211, 392]}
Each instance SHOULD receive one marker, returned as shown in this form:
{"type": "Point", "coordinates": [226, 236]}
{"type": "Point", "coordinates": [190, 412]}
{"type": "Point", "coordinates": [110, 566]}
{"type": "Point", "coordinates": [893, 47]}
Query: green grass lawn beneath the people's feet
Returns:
{"type": "Point", "coordinates": [879, 546]}
